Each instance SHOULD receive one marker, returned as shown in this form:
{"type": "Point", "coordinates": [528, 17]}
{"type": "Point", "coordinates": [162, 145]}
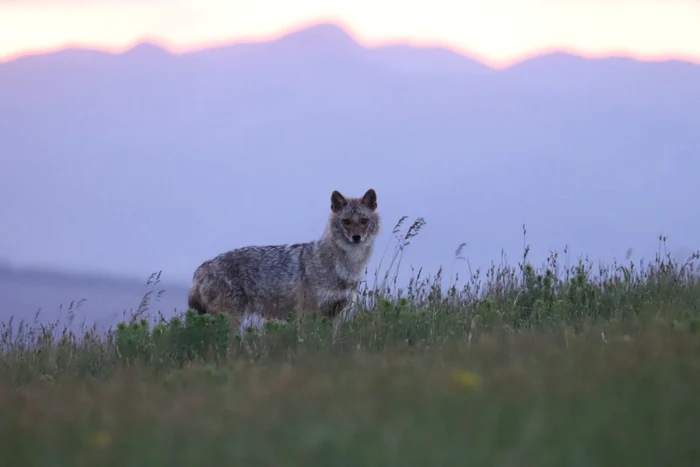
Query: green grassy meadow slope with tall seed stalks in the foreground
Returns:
{"type": "Point", "coordinates": [520, 366]}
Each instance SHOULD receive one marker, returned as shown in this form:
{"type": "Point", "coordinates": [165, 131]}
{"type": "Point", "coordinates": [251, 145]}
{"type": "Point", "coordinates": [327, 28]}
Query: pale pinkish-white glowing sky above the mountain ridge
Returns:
{"type": "Point", "coordinates": [496, 31]}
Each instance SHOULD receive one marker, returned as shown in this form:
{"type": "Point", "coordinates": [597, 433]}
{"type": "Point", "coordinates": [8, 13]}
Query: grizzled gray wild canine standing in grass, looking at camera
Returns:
{"type": "Point", "coordinates": [271, 281]}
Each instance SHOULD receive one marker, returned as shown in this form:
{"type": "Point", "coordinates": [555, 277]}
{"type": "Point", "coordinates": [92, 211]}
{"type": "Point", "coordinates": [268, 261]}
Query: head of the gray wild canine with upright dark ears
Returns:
{"type": "Point", "coordinates": [354, 220]}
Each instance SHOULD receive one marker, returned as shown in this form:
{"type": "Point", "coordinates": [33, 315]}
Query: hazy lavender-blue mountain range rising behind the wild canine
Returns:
{"type": "Point", "coordinates": [130, 163]}
